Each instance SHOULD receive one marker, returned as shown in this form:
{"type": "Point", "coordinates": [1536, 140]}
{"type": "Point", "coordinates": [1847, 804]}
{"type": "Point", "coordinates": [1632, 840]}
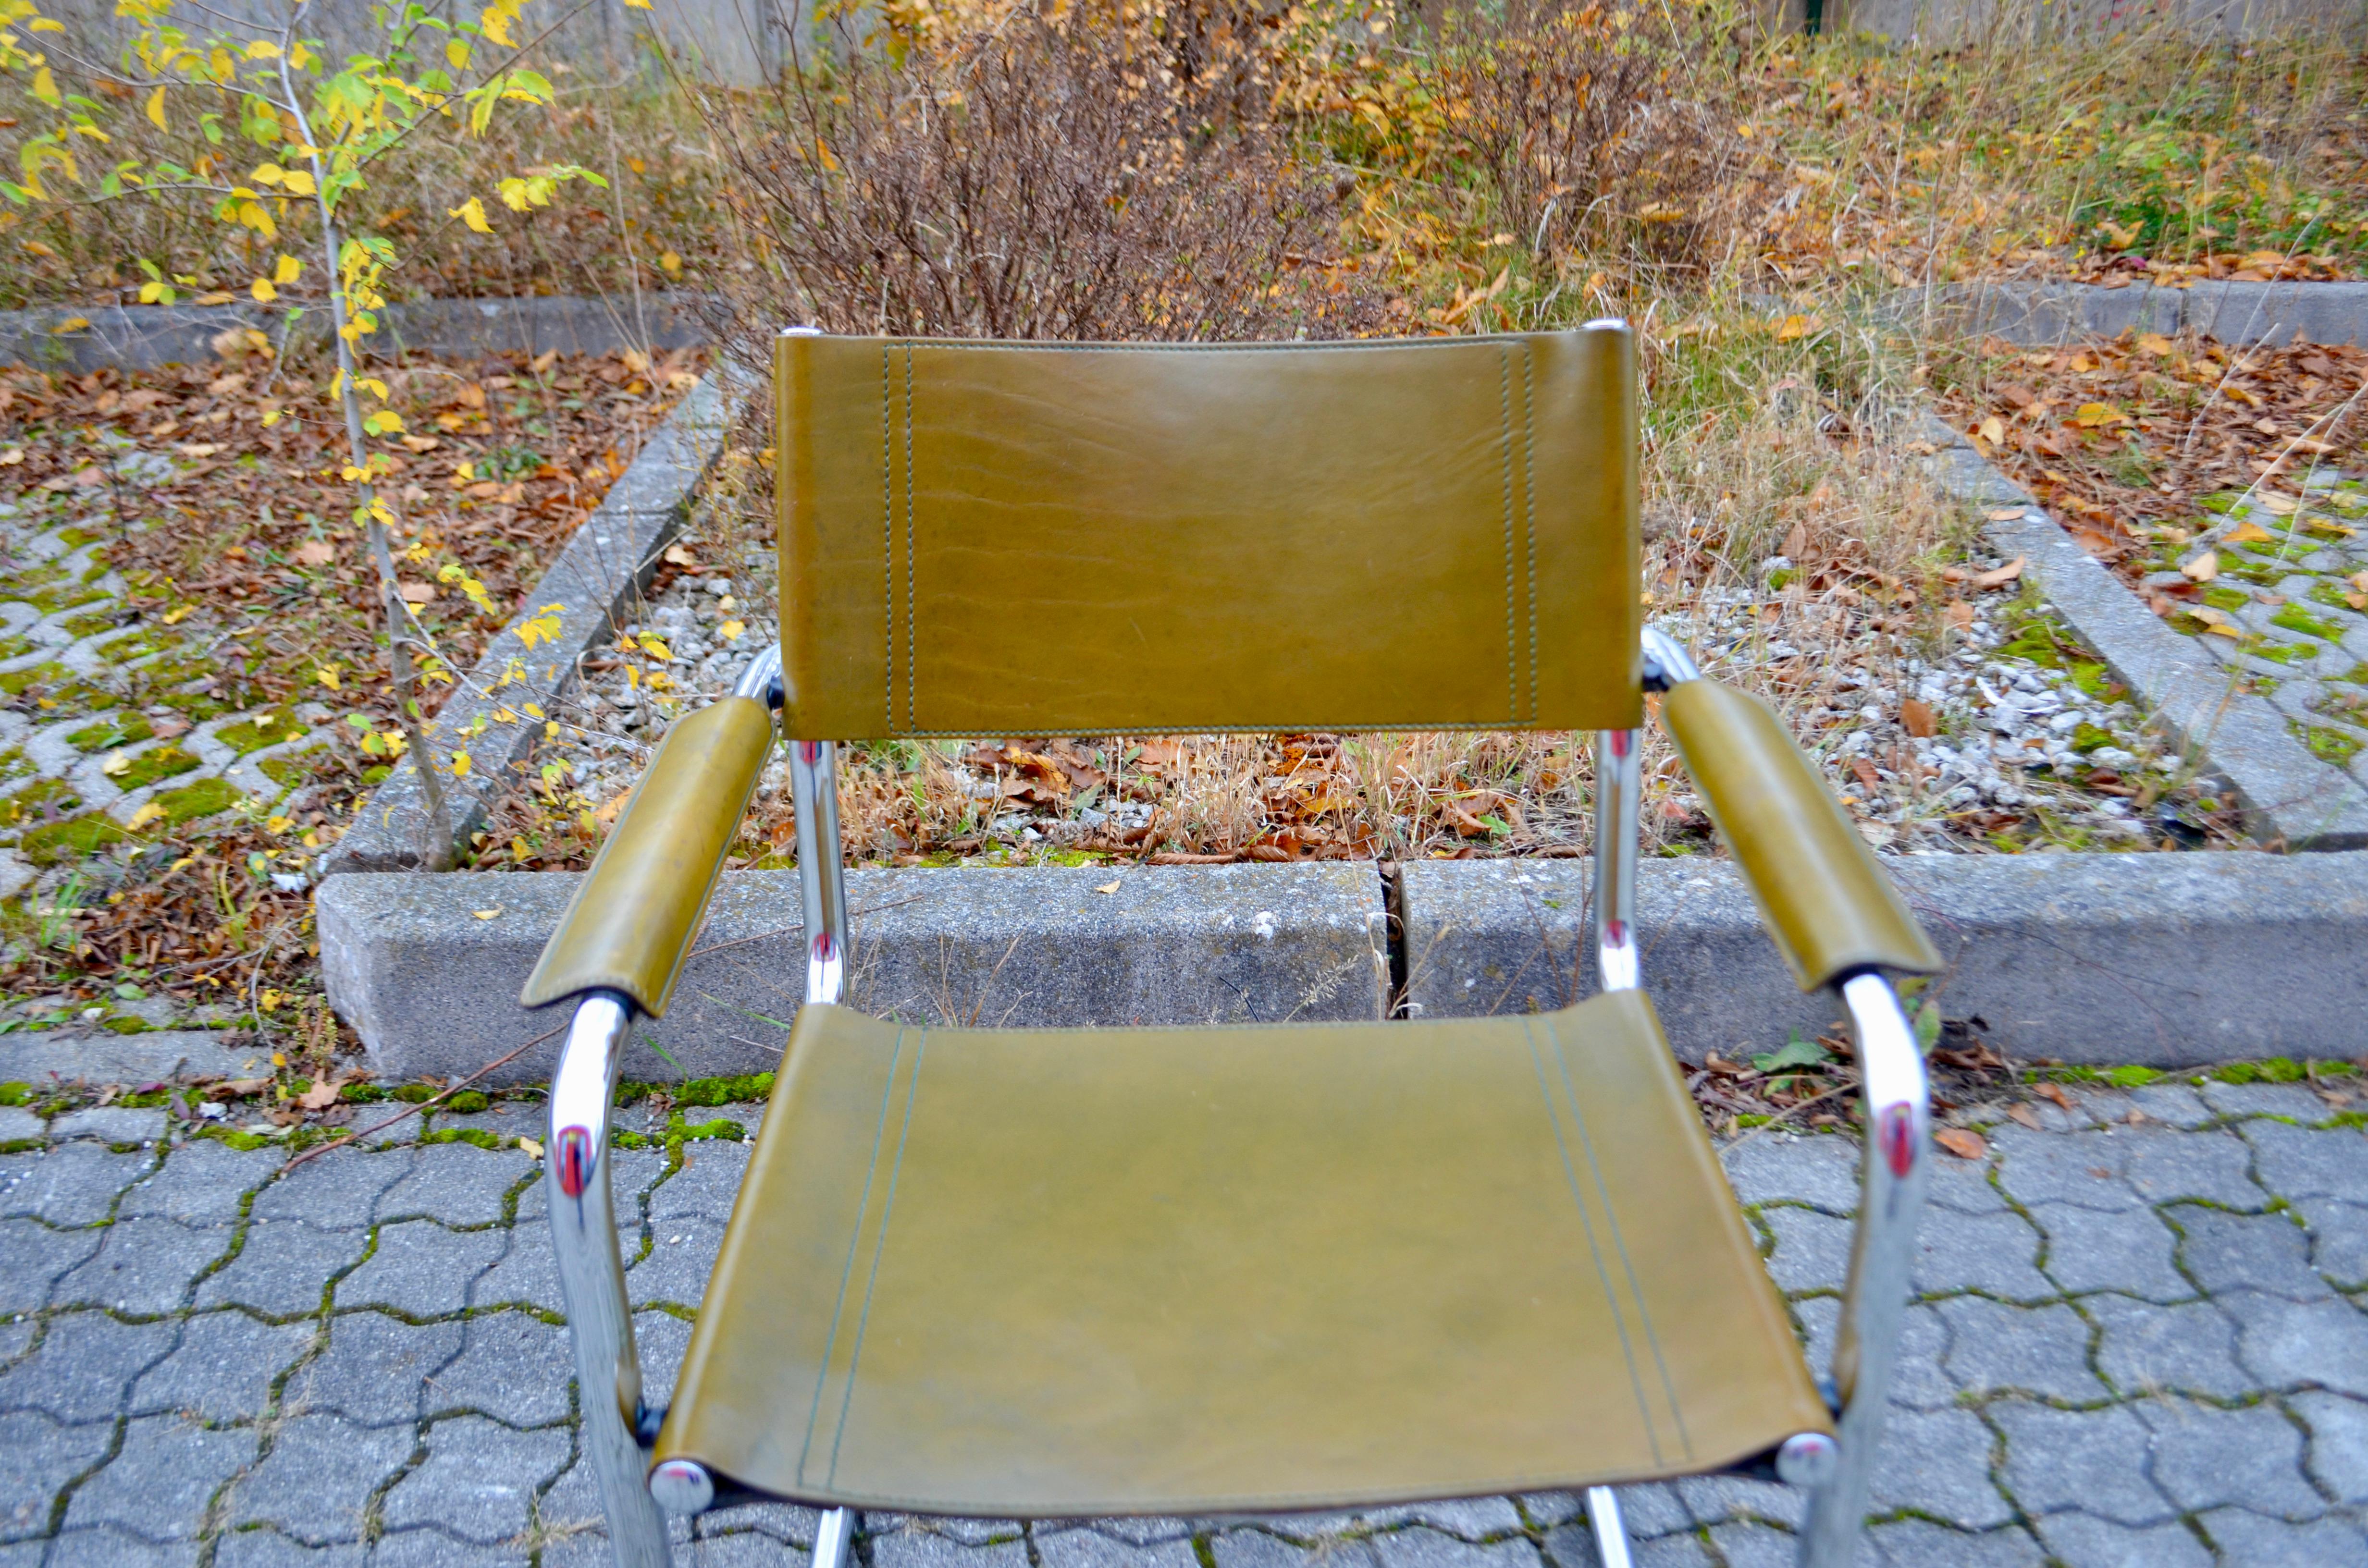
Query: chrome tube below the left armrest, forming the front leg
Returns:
{"type": "Point", "coordinates": [593, 1280]}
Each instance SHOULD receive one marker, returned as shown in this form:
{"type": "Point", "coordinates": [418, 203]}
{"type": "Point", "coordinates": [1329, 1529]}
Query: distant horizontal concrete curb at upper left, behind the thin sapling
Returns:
{"type": "Point", "coordinates": [143, 338]}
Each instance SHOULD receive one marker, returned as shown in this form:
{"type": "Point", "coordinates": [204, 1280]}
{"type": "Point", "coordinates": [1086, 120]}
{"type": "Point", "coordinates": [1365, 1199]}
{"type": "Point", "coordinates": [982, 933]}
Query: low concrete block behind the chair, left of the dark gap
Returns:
{"type": "Point", "coordinates": [432, 989]}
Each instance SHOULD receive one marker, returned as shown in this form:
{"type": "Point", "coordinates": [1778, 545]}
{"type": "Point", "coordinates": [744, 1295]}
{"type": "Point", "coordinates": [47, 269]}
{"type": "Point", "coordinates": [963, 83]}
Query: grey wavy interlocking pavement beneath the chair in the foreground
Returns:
{"type": "Point", "coordinates": [2139, 1342]}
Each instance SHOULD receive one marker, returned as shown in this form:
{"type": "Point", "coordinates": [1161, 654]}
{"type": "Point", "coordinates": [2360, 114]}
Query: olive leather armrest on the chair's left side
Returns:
{"type": "Point", "coordinates": [633, 920]}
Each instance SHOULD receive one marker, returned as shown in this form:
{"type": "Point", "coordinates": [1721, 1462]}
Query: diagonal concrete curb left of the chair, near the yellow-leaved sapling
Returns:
{"type": "Point", "coordinates": [603, 570]}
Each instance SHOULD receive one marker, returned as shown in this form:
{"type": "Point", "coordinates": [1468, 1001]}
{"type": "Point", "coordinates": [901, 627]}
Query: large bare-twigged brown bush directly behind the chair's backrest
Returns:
{"type": "Point", "coordinates": [1034, 176]}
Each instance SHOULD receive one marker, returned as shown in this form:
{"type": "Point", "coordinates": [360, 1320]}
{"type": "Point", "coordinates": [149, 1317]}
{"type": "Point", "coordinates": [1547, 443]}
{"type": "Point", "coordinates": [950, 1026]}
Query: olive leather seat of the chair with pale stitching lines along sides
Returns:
{"type": "Point", "coordinates": [1199, 1271]}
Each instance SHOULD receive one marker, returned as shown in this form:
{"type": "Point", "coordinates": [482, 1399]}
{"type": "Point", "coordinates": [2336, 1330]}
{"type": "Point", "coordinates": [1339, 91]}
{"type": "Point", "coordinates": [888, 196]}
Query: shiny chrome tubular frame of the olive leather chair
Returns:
{"type": "Point", "coordinates": [622, 1432]}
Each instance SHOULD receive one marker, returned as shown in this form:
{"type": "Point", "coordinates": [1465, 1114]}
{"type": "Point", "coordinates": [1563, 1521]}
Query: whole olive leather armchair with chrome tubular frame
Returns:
{"type": "Point", "coordinates": [1223, 1271]}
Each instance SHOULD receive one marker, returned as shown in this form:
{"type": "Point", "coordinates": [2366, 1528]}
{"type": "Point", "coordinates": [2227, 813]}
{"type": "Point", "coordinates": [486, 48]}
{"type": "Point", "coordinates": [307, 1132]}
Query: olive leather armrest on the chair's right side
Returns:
{"type": "Point", "coordinates": [1822, 894]}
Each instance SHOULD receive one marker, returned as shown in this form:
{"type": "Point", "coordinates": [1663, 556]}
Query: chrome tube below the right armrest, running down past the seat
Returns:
{"type": "Point", "coordinates": [1898, 1100]}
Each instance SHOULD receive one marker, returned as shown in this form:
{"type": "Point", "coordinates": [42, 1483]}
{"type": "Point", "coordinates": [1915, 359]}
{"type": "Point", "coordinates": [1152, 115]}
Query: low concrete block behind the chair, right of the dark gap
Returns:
{"type": "Point", "coordinates": [2163, 960]}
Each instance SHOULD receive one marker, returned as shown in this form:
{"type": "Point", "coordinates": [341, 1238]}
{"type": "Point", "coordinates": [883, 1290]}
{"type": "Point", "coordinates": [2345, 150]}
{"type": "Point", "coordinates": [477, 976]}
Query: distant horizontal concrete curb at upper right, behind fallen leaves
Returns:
{"type": "Point", "coordinates": [2045, 314]}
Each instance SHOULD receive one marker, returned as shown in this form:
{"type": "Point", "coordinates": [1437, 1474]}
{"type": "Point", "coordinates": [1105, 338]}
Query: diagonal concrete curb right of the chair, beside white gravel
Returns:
{"type": "Point", "coordinates": [2286, 795]}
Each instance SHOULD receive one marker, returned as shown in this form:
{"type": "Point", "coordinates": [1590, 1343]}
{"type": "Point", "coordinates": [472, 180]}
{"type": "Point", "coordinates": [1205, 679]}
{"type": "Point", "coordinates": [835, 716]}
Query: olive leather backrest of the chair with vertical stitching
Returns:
{"type": "Point", "coordinates": [1090, 539]}
